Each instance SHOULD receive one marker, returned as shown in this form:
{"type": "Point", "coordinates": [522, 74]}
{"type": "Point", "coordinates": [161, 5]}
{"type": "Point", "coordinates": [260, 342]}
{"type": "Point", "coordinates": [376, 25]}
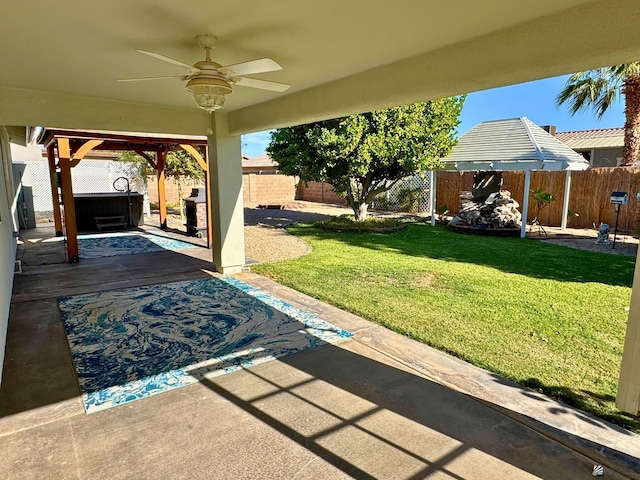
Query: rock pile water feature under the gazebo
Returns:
{"type": "Point", "coordinates": [487, 208]}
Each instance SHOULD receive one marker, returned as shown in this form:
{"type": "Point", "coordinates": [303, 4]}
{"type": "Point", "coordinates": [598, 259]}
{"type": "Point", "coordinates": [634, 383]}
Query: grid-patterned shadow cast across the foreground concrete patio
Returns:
{"type": "Point", "coordinates": [374, 420]}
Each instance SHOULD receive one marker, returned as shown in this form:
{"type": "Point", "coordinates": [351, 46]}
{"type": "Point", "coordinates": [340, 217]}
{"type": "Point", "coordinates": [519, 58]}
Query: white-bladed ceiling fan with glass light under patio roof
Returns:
{"type": "Point", "coordinates": [210, 82]}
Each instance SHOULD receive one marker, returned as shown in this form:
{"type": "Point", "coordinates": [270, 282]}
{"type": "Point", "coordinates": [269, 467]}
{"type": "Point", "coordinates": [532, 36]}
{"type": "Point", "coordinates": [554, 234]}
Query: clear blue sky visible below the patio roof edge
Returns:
{"type": "Point", "coordinates": [535, 100]}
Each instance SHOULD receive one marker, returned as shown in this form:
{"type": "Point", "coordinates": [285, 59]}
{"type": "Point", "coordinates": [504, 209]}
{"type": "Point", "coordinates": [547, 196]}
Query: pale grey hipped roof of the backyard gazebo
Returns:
{"type": "Point", "coordinates": [513, 144]}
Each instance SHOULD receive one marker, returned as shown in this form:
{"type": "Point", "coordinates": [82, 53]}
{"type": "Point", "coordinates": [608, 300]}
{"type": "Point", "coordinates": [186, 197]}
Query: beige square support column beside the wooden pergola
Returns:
{"type": "Point", "coordinates": [225, 180]}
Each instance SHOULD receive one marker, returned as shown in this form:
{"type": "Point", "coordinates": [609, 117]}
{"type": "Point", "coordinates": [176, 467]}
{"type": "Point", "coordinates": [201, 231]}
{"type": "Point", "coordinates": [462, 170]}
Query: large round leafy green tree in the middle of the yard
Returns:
{"type": "Point", "coordinates": [364, 155]}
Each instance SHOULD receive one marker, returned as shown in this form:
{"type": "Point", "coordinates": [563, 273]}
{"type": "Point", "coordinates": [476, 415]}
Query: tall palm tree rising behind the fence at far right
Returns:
{"type": "Point", "coordinates": [599, 89]}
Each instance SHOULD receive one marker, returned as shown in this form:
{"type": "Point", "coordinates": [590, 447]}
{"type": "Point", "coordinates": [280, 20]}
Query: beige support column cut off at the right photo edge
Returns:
{"type": "Point", "coordinates": [628, 398]}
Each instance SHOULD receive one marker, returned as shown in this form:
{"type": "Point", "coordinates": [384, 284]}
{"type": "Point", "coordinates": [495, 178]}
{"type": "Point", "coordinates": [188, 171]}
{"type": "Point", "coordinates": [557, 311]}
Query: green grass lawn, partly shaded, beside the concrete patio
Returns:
{"type": "Point", "coordinates": [549, 317]}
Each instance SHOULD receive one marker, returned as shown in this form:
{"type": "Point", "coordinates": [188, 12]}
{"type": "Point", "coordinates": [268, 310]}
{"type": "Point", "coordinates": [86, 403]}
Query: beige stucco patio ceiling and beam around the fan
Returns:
{"type": "Point", "coordinates": [60, 60]}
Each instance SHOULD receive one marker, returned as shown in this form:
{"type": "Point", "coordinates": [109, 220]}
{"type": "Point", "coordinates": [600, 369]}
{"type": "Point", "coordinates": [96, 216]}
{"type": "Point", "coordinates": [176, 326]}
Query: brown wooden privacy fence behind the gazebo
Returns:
{"type": "Point", "coordinates": [589, 197]}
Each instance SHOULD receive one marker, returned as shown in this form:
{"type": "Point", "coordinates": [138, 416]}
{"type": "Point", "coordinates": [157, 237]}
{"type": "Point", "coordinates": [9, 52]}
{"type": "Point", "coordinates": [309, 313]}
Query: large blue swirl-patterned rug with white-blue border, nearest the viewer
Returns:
{"type": "Point", "coordinates": [132, 343]}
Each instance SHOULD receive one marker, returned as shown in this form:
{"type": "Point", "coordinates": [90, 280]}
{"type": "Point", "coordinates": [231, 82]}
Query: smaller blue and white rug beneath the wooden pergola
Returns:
{"type": "Point", "coordinates": [126, 243]}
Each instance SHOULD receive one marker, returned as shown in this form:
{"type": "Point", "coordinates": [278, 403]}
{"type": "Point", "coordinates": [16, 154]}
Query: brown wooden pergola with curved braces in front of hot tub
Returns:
{"type": "Point", "coordinates": [66, 148]}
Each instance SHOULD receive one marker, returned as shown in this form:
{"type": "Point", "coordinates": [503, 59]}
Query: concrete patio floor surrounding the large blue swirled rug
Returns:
{"type": "Point", "coordinates": [376, 406]}
